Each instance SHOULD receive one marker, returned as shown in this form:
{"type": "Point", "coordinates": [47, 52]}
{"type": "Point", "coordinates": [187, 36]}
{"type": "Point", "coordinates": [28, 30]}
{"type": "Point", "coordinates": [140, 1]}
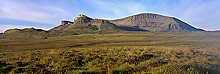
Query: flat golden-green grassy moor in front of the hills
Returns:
{"type": "Point", "coordinates": [127, 52]}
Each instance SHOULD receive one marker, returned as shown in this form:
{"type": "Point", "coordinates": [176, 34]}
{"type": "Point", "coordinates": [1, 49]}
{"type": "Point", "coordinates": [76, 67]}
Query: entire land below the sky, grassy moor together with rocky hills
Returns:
{"type": "Point", "coordinates": [143, 43]}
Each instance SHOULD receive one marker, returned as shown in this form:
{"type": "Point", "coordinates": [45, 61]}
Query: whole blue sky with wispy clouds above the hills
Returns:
{"type": "Point", "coordinates": [46, 14]}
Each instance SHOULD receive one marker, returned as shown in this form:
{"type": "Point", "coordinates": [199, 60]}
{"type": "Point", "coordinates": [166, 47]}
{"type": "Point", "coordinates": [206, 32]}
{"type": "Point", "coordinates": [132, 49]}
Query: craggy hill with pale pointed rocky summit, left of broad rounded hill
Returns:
{"type": "Point", "coordinates": [85, 24]}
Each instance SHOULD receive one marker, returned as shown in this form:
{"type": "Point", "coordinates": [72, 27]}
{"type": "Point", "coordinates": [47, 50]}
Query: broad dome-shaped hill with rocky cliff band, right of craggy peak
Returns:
{"type": "Point", "coordinates": [154, 23]}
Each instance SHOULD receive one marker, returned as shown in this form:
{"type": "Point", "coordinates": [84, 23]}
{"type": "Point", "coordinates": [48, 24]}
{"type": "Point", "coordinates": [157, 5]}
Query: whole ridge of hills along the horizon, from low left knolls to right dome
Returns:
{"type": "Point", "coordinates": [140, 22]}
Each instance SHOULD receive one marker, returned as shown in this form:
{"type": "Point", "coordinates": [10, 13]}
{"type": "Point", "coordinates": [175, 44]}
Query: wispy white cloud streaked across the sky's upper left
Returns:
{"type": "Point", "coordinates": [29, 11]}
